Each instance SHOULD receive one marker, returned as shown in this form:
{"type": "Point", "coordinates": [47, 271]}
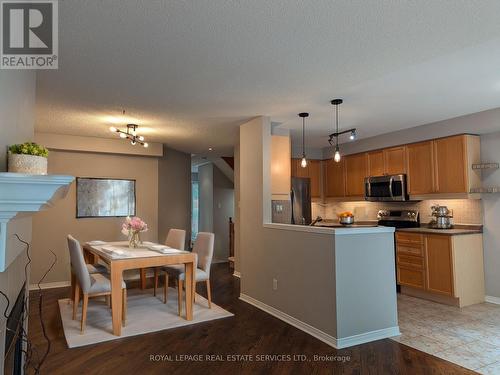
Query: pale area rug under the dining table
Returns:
{"type": "Point", "coordinates": [145, 314]}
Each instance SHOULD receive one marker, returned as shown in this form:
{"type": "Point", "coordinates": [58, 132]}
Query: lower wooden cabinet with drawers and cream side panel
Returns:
{"type": "Point", "coordinates": [441, 267]}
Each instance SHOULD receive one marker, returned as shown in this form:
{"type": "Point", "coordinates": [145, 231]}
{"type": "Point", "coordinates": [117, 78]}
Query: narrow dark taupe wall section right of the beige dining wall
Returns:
{"type": "Point", "coordinates": [174, 193]}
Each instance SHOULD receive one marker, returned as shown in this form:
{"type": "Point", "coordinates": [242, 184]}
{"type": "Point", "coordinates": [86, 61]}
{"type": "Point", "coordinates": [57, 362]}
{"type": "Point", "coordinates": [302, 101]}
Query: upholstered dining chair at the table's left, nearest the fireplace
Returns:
{"type": "Point", "coordinates": [91, 285]}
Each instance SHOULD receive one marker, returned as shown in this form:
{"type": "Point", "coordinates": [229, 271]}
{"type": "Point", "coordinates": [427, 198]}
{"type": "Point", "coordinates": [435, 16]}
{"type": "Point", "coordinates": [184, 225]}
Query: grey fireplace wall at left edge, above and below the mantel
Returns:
{"type": "Point", "coordinates": [17, 119]}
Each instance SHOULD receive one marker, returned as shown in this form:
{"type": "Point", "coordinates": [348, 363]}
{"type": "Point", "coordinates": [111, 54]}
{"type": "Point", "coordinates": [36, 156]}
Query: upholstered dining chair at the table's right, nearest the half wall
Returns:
{"type": "Point", "coordinates": [204, 250]}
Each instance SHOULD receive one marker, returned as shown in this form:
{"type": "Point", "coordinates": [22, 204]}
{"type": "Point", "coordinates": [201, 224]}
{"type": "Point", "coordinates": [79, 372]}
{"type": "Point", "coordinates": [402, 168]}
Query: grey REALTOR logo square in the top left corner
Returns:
{"type": "Point", "coordinates": [29, 34]}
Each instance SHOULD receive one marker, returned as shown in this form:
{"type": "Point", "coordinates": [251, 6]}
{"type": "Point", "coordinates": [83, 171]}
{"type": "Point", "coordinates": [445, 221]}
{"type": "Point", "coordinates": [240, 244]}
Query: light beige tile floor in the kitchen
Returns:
{"type": "Point", "coordinates": [469, 337]}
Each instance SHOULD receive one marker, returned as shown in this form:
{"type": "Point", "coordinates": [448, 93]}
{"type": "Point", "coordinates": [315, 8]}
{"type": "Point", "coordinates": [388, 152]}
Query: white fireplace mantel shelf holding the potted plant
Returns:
{"type": "Point", "coordinates": [21, 195]}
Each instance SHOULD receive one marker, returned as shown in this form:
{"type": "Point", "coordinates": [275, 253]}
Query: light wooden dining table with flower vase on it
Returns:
{"type": "Point", "coordinates": [141, 257]}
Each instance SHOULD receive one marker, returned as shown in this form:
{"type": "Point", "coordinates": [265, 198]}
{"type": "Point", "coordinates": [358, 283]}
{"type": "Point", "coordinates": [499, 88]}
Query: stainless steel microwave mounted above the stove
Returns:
{"type": "Point", "coordinates": [386, 188]}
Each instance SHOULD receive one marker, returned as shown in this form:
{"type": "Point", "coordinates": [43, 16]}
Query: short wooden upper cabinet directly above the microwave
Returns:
{"type": "Point", "coordinates": [387, 161]}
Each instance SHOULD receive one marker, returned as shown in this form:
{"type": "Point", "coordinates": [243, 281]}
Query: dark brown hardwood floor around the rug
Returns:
{"type": "Point", "coordinates": [250, 332]}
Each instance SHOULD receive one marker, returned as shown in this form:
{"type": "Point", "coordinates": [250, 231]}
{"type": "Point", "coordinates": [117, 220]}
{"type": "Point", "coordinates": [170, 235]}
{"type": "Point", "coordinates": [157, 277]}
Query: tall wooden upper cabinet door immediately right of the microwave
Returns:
{"type": "Point", "coordinates": [420, 177]}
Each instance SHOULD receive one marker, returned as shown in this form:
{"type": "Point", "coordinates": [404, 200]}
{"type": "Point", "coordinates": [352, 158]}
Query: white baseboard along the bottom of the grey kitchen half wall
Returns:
{"type": "Point", "coordinates": [320, 335]}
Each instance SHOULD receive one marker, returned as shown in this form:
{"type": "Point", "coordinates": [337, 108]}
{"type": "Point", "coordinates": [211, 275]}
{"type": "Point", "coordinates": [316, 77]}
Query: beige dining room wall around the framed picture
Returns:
{"type": "Point", "coordinates": [51, 227]}
